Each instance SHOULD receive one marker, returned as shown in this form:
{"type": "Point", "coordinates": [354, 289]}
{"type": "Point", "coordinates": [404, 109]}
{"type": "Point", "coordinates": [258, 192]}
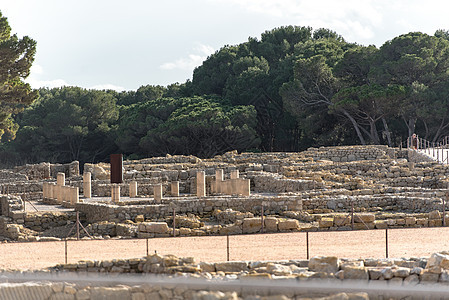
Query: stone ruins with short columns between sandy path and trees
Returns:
{"type": "Point", "coordinates": [306, 191]}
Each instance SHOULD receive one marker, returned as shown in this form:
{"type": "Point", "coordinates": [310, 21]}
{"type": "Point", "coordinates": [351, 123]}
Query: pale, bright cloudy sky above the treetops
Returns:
{"type": "Point", "coordinates": [125, 44]}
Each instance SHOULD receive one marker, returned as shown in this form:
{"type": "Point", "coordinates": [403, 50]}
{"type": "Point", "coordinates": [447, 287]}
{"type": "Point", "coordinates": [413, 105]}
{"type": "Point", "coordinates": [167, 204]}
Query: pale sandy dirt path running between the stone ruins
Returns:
{"type": "Point", "coordinates": [349, 244]}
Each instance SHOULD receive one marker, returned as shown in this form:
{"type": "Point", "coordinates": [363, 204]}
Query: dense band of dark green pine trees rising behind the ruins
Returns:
{"type": "Point", "coordinates": [292, 89]}
